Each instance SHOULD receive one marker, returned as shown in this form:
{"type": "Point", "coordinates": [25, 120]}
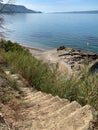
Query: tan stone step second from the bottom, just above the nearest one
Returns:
{"type": "Point", "coordinates": [56, 116]}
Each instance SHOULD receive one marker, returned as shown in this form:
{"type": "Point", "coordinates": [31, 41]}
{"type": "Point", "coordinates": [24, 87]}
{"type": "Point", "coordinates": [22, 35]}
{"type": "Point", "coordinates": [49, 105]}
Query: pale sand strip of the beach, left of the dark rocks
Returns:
{"type": "Point", "coordinates": [51, 57]}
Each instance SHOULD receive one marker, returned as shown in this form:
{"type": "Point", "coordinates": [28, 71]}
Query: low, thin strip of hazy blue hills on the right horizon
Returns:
{"type": "Point", "coordinates": [81, 12]}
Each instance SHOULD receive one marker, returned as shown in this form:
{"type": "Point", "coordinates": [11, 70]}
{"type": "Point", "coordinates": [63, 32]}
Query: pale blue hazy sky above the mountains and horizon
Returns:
{"type": "Point", "coordinates": [59, 5]}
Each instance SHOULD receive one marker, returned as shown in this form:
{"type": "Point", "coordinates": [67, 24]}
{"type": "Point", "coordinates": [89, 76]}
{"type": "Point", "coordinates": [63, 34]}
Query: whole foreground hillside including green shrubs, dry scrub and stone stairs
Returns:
{"type": "Point", "coordinates": [33, 96]}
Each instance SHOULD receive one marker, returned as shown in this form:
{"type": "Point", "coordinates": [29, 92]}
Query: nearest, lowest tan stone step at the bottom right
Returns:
{"type": "Point", "coordinates": [76, 120]}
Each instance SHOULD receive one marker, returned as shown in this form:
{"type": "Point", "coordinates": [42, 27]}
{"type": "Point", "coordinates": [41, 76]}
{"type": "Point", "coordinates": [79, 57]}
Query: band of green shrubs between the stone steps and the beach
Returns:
{"type": "Point", "coordinates": [39, 75]}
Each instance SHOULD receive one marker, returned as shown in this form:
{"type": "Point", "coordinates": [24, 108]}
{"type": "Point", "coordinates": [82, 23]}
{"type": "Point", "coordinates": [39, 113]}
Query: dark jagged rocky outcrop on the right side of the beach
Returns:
{"type": "Point", "coordinates": [77, 59]}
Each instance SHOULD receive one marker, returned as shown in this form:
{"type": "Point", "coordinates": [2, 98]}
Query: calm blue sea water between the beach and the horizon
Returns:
{"type": "Point", "coordinates": [49, 31]}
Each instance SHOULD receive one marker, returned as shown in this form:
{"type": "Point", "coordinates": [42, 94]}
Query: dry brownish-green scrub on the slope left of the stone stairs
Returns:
{"type": "Point", "coordinates": [8, 92]}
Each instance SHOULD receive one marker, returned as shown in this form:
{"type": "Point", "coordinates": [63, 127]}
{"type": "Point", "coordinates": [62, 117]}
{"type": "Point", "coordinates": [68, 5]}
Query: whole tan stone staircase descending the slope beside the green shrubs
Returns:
{"type": "Point", "coordinates": [41, 111]}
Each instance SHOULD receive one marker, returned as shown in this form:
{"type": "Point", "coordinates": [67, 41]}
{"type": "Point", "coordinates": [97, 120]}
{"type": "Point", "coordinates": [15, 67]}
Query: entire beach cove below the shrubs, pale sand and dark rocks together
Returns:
{"type": "Point", "coordinates": [68, 59]}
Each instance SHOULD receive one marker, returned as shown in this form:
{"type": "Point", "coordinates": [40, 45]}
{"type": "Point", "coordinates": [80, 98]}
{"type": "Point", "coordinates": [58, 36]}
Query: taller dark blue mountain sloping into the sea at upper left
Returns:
{"type": "Point", "coordinates": [10, 8]}
